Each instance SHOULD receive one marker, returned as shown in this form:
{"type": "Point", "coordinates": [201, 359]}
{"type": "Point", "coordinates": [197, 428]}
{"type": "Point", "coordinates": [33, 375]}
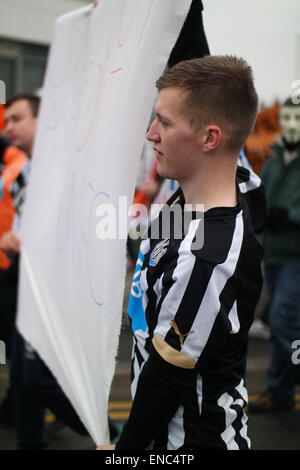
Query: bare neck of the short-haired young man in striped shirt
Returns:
{"type": "Point", "coordinates": [212, 187]}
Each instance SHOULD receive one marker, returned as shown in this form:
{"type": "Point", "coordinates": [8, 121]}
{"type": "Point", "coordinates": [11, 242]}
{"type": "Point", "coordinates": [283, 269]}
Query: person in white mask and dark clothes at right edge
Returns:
{"type": "Point", "coordinates": [281, 178]}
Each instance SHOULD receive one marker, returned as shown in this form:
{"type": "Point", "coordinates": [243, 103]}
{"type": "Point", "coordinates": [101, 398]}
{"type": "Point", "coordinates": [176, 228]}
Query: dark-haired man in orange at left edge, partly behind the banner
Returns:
{"type": "Point", "coordinates": [20, 125]}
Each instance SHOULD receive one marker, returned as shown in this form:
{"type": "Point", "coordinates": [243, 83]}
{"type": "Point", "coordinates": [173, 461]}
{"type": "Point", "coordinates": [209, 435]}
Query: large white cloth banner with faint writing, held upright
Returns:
{"type": "Point", "coordinates": [98, 95]}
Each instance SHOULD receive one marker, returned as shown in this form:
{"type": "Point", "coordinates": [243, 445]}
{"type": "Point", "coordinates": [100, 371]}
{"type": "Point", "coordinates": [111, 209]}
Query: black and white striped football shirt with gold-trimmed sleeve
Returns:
{"type": "Point", "coordinates": [191, 310]}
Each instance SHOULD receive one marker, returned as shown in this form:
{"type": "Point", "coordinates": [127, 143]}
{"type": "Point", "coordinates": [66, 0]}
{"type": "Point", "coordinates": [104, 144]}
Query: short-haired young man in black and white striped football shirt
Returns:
{"type": "Point", "coordinates": [197, 302]}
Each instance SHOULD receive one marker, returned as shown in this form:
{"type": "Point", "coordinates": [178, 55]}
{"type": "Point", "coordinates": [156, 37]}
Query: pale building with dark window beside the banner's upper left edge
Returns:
{"type": "Point", "coordinates": [26, 28]}
